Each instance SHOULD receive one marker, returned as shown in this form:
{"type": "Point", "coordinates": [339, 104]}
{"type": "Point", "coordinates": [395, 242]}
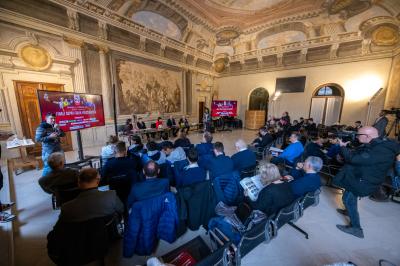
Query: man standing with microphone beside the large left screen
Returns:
{"type": "Point", "coordinates": [49, 134]}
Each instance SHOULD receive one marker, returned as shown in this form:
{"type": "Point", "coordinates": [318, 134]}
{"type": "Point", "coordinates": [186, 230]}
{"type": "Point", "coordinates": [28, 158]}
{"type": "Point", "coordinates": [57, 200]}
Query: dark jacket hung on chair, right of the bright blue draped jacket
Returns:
{"type": "Point", "coordinates": [196, 204]}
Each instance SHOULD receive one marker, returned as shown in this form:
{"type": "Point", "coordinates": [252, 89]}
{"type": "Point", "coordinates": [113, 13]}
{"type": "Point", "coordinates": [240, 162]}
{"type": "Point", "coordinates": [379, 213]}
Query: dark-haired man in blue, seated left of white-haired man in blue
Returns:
{"type": "Point", "coordinates": [221, 164]}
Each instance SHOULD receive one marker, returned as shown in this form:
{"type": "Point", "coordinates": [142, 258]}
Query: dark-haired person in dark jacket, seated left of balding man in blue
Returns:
{"type": "Point", "coordinates": [121, 164]}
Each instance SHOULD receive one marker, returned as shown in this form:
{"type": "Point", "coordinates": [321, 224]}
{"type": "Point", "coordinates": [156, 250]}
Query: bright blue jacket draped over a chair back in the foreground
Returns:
{"type": "Point", "coordinates": [150, 220]}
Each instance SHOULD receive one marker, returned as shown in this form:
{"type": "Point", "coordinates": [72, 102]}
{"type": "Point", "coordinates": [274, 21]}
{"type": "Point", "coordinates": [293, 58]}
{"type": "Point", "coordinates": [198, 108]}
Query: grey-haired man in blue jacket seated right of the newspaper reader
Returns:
{"type": "Point", "coordinates": [306, 177]}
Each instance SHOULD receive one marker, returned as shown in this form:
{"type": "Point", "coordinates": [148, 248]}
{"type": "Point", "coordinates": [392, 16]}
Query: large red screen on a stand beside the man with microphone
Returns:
{"type": "Point", "coordinates": [74, 111]}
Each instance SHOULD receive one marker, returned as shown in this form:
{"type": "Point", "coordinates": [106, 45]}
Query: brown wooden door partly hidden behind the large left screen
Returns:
{"type": "Point", "coordinates": [29, 111]}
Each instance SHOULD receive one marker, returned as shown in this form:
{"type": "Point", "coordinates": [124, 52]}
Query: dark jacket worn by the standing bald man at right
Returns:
{"type": "Point", "coordinates": [366, 167]}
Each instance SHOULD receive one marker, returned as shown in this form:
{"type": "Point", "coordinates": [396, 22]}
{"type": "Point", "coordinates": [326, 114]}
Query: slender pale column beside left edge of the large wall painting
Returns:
{"type": "Point", "coordinates": [105, 81]}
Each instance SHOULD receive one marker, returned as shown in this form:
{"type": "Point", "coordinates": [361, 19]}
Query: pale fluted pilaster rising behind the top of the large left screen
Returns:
{"type": "Point", "coordinates": [76, 51]}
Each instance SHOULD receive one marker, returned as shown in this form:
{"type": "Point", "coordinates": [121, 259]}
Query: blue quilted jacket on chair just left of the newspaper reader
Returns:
{"type": "Point", "coordinates": [227, 188]}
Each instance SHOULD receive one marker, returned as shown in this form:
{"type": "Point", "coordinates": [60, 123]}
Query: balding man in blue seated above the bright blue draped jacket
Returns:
{"type": "Point", "coordinates": [151, 187]}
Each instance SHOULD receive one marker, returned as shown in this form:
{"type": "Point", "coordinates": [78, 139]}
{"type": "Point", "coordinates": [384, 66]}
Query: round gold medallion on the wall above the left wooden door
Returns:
{"type": "Point", "coordinates": [35, 57]}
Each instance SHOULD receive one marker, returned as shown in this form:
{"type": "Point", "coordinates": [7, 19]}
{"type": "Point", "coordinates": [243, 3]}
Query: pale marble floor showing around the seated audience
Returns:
{"type": "Point", "coordinates": [325, 245]}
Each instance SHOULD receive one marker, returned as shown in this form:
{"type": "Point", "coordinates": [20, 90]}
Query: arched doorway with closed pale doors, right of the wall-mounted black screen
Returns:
{"type": "Point", "coordinates": [326, 104]}
